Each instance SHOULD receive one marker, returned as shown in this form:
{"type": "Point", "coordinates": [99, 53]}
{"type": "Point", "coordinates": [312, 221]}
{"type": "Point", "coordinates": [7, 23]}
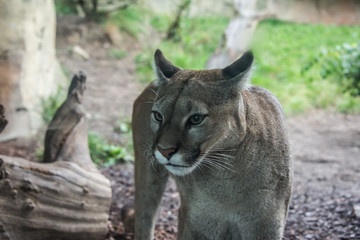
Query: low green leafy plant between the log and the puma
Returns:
{"type": "Point", "coordinates": [104, 154]}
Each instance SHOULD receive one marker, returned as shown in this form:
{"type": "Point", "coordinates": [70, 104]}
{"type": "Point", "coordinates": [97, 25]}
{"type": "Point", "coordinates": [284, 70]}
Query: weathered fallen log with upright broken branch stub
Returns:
{"type": "Point", "coordinates": [63, 198]}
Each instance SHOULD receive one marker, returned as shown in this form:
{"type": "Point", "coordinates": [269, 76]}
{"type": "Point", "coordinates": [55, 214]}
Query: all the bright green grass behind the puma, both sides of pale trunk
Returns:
{"type": "Point", "coordinates": [282, 50]}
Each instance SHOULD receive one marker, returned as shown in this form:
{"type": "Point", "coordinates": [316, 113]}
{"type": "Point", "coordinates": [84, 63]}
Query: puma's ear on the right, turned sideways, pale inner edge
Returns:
{"type": "Point", "coordinates": [240, 70]}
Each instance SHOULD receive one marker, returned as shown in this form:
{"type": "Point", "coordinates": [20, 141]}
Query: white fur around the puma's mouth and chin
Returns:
{"type": "Point", "coordinates": [176, 160]}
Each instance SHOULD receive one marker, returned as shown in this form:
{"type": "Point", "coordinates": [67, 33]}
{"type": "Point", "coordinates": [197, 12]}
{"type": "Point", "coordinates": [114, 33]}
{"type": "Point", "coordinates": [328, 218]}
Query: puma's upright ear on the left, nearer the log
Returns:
{"type": "Point", "coordinates": [163, 68]}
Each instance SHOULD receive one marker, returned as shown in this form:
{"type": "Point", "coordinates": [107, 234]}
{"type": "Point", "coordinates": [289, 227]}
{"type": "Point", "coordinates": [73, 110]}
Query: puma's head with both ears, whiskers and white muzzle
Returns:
{"type": "Point", "coordinates": [197, 114]}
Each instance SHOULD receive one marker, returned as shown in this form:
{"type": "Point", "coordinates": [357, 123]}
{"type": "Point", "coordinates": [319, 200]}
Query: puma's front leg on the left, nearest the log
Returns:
{"type": "Point", "coordinates": [150, 177]}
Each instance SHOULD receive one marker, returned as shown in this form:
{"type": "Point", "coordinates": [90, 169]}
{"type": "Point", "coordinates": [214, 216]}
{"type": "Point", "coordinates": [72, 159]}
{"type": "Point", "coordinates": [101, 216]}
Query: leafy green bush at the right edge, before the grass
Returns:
{"type": "Point", "coordinates": [341, 64]}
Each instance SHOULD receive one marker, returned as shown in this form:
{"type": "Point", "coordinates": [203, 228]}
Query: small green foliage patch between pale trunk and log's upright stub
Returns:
{"type": "Point", "coordinates": [51, 104]}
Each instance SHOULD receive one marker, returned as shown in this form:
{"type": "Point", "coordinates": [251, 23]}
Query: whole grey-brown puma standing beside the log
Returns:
{"type": "Point", "coordinates": [224, 142]}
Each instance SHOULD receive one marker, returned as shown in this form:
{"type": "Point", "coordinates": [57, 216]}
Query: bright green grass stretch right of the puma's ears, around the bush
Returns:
{"type": "Point", "coordinates": [282, 51]}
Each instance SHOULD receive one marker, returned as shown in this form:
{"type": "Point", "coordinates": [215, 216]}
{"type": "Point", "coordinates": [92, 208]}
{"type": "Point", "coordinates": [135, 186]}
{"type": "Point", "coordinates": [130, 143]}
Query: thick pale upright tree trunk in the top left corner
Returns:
{"type": "Point", "coordinates": [29, 70]}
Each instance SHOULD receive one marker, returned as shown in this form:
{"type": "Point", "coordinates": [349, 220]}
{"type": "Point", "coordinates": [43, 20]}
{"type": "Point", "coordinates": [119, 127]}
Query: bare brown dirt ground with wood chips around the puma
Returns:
{"type": "Point", "coordinates": [325, 148]}
